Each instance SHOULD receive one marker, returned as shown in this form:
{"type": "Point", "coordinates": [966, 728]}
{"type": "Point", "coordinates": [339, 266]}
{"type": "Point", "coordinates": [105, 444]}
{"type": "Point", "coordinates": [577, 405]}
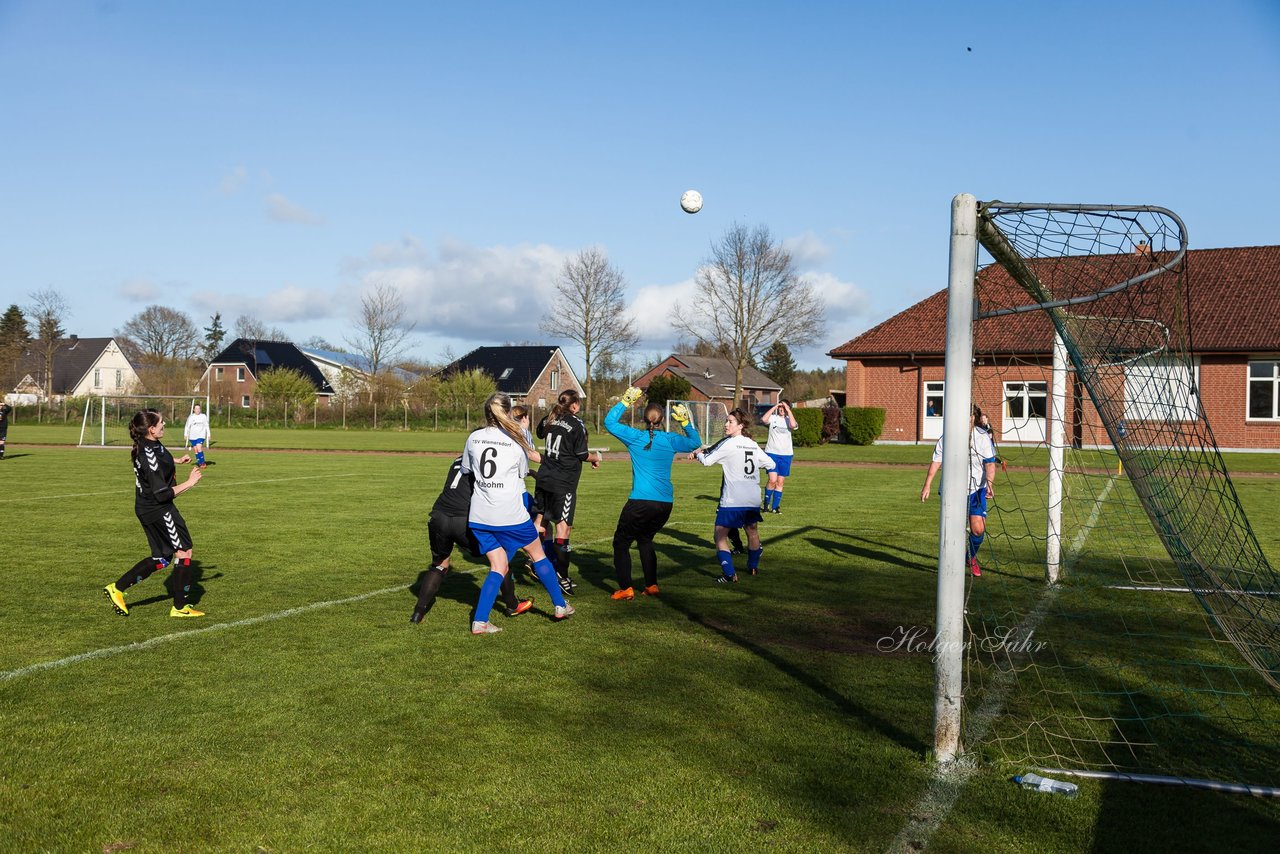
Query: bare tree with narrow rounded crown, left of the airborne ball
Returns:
{"type": "Point", "coordinates": [589, 309]}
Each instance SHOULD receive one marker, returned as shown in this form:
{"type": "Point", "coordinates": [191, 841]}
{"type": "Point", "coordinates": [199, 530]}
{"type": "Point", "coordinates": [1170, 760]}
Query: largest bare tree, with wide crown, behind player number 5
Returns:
{"type": "Point", "coordinates": [748, 298]}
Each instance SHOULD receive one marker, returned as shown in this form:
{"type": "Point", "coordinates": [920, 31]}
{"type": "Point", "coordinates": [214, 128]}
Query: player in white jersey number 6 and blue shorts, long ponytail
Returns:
{"type": "Point", "coordinates": [499, 456]}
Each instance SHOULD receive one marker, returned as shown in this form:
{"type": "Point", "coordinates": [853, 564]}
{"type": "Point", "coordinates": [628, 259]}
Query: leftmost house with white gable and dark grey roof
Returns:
{"type": "Point", "coordinates": [81, 367]}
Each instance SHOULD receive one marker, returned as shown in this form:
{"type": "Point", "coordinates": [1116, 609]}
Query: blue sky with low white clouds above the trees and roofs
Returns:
{"type": "Point", "coordinates": [277, 158]}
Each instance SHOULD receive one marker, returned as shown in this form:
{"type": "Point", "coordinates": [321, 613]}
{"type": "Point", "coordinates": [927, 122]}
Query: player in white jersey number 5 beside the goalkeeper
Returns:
{"type": "Point", "coordinates": [742, 462]}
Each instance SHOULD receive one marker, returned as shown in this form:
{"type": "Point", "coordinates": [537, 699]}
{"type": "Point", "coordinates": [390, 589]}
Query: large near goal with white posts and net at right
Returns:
{"type": "Point", "coordinates": [1127, 622]}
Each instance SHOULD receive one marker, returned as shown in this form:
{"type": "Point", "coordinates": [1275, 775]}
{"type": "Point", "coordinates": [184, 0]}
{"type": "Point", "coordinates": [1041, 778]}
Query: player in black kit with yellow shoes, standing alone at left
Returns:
{"type": "Point", "coordinates": [156, 488]}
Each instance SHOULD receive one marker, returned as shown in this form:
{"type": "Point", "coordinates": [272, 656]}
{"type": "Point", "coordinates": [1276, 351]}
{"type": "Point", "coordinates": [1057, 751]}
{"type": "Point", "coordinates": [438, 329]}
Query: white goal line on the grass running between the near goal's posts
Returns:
{"type": "Point", "coordinates": [936, 805]}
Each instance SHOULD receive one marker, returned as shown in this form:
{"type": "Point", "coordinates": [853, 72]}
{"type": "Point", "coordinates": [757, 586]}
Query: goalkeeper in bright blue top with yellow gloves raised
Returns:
{"type": "Point", "coordinates": [652, 495]}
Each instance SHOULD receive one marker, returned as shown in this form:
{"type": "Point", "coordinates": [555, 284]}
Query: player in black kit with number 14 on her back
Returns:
{"type": "Point", "coordinates": [564, 454]}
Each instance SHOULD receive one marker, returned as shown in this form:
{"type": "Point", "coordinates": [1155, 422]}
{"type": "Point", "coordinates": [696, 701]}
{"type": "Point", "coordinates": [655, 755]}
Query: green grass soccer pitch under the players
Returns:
{"type": "Point", "coordinates": [307, 714]}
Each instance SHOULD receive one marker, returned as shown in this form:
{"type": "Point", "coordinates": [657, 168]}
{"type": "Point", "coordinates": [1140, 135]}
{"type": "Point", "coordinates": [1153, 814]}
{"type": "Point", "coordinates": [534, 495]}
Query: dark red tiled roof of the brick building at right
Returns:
{"type": "Point", "coordinates": [1232, 298]}
